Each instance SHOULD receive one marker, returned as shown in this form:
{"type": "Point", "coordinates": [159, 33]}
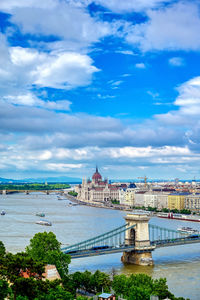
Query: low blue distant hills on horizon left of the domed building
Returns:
{"type": "Point", "coordinates": [60, 179]}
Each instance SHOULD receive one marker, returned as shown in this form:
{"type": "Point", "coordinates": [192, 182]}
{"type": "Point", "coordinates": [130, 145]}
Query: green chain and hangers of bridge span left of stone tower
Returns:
{"type": "Point", "coordinates": [110, 239]}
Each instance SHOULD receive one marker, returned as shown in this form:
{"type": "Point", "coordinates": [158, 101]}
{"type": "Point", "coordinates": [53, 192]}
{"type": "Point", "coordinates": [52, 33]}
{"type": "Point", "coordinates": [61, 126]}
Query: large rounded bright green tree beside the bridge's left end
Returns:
{"type": "Point", "coordinates": [44, 247]}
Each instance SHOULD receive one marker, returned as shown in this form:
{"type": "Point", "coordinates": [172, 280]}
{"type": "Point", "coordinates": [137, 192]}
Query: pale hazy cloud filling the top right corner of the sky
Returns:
{"type": "Point", "coordinates": [174, 27]}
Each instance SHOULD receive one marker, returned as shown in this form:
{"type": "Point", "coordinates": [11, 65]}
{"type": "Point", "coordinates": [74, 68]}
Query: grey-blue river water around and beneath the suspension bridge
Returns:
{"type": "Point", "coordinates": [71, 224]}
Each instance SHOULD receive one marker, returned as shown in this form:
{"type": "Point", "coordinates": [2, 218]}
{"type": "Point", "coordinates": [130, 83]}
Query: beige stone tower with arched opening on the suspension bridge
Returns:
{"type": "Point", "coordinates": [139, 238]}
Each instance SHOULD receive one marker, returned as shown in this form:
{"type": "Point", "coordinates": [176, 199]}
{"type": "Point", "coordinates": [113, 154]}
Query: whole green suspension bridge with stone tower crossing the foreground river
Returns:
{"type": "Point", "coordinates": [136, 239]}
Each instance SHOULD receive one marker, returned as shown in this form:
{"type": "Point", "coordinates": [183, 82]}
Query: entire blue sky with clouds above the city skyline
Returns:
{"type": "Point", "coordinates": [108, 83]}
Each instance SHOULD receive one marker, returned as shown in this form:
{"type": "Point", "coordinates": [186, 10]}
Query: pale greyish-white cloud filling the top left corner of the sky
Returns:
{"type": "Point", "coordinates": [58, 19]}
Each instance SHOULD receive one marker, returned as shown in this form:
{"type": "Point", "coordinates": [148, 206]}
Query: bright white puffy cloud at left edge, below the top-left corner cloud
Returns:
{"type": "Point", "coordinates": [23, 68]}
